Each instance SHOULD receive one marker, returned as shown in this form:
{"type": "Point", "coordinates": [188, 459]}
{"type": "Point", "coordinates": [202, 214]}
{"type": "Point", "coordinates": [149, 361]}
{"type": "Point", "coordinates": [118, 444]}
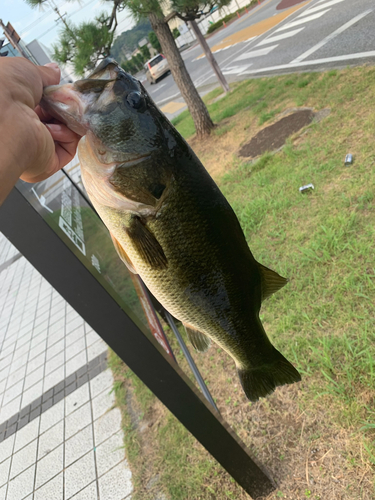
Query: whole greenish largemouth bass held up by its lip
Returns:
{"type": "Point", "coordinates": [170, 223]}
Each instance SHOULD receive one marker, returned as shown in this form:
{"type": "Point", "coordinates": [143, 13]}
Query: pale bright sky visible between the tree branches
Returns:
{"type": "Point", "coordinates": [41, 24]}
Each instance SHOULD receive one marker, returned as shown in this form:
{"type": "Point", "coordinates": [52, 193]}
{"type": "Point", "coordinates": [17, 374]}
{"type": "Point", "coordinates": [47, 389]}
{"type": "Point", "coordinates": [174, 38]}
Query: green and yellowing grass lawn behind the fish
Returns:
{"type": "Point", "coordinates": [317, 438]}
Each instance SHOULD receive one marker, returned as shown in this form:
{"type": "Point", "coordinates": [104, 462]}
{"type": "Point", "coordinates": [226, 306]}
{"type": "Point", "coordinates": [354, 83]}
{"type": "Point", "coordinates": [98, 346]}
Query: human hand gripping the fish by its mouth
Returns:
{"type": "Point", "coordinates": [33, 144]}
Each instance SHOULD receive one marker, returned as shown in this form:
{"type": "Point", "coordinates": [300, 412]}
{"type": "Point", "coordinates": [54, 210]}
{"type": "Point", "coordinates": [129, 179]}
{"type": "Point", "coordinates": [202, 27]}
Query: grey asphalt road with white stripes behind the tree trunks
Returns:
{"type": "Point", "coordinates": [313, 35]}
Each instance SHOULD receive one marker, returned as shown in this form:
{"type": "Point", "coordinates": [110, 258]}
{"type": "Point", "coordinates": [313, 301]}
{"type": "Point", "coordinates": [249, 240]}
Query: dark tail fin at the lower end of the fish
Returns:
{"type": "Point", "coordinates": [261, 380]}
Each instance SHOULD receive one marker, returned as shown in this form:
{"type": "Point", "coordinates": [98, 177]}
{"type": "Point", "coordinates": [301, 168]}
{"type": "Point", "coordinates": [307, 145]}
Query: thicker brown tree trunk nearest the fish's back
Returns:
{"type": "Point", "coordinates": [202, 121]}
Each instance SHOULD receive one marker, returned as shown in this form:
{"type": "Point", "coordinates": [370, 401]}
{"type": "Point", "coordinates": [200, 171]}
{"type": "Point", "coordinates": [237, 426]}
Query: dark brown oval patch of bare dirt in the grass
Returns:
{"type": "Point", "coordinates": [274, 136]}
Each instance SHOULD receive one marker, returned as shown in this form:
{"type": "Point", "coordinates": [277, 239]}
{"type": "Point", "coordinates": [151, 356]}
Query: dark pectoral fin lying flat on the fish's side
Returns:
{"type": "Point", "coordinates": [146, 244]}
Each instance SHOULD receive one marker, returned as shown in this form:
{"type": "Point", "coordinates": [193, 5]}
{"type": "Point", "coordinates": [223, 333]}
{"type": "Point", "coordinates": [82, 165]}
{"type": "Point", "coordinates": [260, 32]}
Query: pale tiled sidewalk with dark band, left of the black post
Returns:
{"type": "Point", "coordinates": [60, 435]}
